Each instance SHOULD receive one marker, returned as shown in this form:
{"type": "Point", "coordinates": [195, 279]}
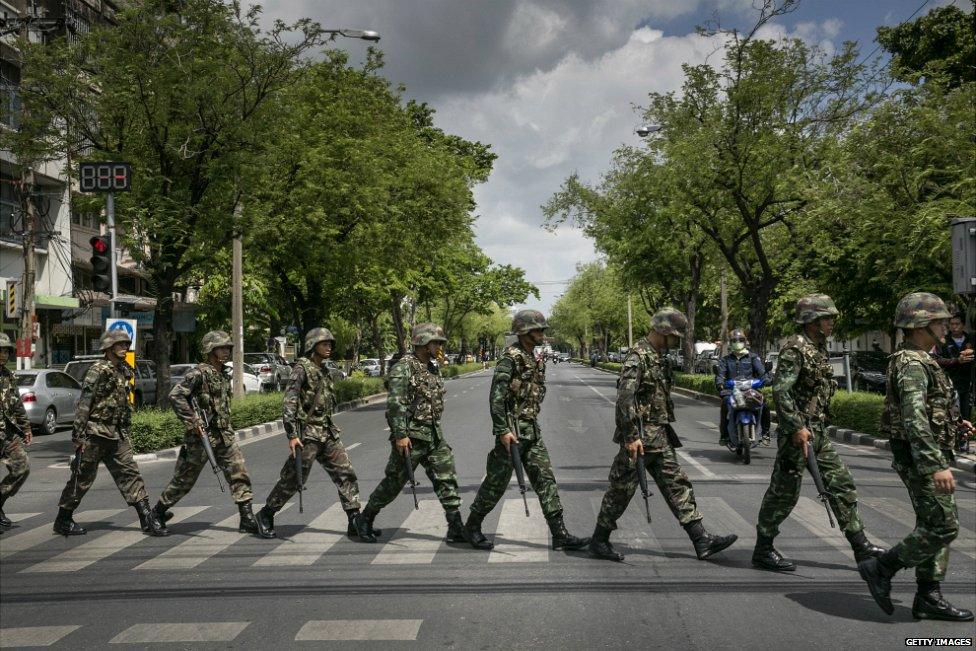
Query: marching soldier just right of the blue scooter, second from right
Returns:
{"type": "Point", "coordinates": [802, 389]}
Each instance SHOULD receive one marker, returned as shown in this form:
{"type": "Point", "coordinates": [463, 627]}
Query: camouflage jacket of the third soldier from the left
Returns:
{"type": "Point", "coordinates": [210, 389]}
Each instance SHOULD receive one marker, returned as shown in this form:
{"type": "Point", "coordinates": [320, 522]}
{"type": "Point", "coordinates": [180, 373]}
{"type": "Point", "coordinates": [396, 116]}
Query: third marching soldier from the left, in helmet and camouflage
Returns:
{"type": "Point", "coordinates": [207, 388]}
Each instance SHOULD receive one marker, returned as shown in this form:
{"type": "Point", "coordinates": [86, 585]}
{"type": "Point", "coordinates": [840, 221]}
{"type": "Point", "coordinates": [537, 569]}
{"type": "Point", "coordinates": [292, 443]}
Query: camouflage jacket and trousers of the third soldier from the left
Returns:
{"type": "Point", "coordinates": [210, 389]}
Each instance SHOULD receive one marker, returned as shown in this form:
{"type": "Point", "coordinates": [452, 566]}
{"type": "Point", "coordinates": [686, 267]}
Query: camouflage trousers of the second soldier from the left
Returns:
{"type": "Point", "coordinates": [116, 454]}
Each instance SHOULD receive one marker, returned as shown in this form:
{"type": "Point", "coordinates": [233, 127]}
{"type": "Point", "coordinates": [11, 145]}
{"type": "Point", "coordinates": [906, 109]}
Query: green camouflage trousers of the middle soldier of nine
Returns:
{"type": "Point", "coordinates": [436, 457]}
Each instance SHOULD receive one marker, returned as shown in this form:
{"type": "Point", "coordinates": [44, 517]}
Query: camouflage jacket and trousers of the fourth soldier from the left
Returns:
{"type": "Point", "coordinates": [309, 401]}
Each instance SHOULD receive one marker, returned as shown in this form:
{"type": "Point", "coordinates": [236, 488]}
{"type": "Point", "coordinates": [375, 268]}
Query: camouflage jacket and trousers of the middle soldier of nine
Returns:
{"type": "Point", "coordinates": [414, 408]}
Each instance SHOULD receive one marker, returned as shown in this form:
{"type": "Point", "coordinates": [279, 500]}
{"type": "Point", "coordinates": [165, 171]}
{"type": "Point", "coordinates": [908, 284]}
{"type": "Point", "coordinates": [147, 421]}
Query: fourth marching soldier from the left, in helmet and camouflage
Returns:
{"type": "Point", "coordinates": [308, 404]}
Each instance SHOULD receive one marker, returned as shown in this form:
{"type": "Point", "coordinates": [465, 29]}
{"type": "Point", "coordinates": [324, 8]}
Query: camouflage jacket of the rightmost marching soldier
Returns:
{"type": "Point", "coordinates": [920, 408]}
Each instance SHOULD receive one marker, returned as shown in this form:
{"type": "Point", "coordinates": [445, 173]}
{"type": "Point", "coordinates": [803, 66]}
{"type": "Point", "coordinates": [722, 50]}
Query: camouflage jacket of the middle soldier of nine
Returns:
{"type": "Point", "coordinates": [416, 399]}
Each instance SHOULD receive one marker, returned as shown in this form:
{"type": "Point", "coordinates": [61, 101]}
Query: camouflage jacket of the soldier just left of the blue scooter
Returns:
{"type": "Point", "coordinates": [644, 390]}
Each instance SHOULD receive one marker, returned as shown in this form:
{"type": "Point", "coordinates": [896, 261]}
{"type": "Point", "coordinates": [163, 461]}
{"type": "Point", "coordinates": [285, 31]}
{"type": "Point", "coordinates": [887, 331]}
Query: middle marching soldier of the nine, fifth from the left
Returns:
{"type": "Point", "coordinates": [414, 408]}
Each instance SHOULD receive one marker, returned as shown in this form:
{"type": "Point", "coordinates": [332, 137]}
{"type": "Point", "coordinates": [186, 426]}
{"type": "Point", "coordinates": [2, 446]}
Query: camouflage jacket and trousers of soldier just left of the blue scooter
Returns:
{"type": "Point", "coordinates": [644, 391]}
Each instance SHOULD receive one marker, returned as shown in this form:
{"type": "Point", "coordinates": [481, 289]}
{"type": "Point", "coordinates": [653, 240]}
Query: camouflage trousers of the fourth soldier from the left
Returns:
{"type": "Point", "coordinates": [332, 455]}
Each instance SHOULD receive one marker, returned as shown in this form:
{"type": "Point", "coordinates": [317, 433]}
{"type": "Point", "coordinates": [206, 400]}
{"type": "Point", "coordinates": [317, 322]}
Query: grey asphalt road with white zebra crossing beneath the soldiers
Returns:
{"type": "Point", "coordinates": [208, 585]}
